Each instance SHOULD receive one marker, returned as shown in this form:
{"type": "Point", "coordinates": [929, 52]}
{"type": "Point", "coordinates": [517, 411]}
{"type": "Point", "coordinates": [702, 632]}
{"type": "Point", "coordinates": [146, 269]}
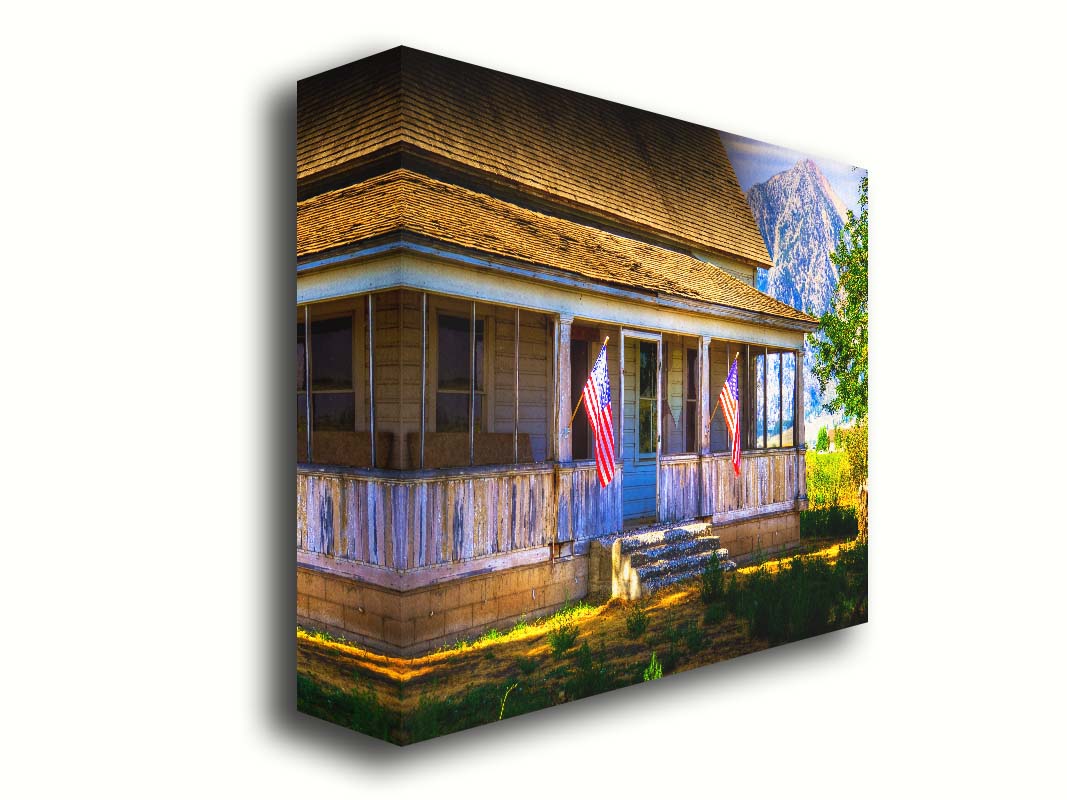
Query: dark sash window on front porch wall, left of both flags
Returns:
{"type": "Point", "coordinates": [454, 375]}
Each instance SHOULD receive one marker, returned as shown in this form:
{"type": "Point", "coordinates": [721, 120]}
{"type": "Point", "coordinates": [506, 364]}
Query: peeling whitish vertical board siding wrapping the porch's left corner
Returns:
{"type": "Point", "coordinates": [425, 522]}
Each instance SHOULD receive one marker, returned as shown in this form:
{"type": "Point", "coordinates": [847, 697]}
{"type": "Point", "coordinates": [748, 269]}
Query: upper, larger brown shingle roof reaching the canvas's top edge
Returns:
{"type": "Point", "coordinates": [612, 161]}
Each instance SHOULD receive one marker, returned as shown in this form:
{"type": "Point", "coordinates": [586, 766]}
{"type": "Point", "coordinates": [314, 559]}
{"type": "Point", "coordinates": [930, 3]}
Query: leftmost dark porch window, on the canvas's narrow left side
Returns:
{"type": "Point", "coordinates": [333, 399]}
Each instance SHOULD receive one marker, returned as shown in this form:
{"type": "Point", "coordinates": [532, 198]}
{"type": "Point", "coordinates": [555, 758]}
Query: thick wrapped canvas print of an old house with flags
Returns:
{"type": "Point", "coordinates": [582, 396]}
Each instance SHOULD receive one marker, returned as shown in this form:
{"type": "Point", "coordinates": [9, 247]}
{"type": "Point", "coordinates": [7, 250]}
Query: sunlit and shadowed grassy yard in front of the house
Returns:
{"type": "Point", "coordinates": [585, 649]}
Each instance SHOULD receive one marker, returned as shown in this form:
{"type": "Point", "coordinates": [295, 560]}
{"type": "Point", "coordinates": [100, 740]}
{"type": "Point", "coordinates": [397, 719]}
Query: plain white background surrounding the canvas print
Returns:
{"type": "Point", "coordinates": [148, 252]}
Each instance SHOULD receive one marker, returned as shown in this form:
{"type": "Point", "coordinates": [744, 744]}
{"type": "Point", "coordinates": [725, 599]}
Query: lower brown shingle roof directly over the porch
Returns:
{"type": "Point", "coordinates": [409, 202]}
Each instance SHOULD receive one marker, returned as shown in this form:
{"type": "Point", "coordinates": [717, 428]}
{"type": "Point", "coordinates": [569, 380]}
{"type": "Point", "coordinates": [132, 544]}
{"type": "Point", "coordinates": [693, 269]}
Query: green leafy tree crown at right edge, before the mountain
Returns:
{"type": "Point", "coordinates": [840, 345]}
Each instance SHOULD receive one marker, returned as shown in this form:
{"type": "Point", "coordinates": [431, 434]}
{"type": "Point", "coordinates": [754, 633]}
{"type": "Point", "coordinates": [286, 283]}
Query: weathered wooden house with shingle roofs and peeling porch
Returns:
{"type": "Point", "coordinates": [467, 241]}
